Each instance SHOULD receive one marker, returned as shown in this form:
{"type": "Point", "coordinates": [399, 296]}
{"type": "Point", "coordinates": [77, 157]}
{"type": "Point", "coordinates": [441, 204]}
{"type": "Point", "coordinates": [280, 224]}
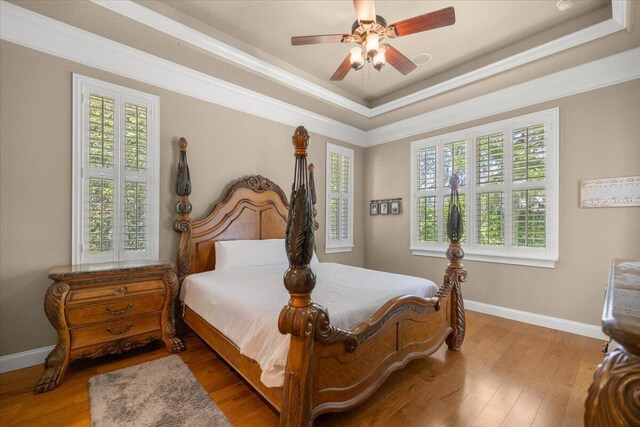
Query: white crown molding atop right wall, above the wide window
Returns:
{"type": "Point", "coordinates": [604, 72]}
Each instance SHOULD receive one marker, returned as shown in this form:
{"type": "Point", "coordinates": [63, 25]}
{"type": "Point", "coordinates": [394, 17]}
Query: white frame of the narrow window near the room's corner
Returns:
{"type": "Point", "coordinates": [340, 245]}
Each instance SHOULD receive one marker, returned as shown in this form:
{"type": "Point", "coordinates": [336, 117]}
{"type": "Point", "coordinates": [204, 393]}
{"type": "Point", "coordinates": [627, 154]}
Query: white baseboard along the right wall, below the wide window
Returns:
{"type": "Point", "coordinates": [584, 329]}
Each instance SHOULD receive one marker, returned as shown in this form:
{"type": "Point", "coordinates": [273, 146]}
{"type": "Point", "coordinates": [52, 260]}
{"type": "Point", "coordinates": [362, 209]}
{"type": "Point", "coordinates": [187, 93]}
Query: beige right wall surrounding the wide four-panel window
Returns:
{"type": "Point", "coordinates": [599, 137]}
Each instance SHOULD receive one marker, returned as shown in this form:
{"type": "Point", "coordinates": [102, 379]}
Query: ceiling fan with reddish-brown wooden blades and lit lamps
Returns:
{"type": "Point", "coordinates": [367, 32]}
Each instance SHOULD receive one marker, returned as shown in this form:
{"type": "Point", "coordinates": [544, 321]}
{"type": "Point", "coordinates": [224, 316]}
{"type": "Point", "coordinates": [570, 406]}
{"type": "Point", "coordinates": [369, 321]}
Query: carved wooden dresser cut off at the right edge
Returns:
{"type": "Point", "coordinates": [614, 395]}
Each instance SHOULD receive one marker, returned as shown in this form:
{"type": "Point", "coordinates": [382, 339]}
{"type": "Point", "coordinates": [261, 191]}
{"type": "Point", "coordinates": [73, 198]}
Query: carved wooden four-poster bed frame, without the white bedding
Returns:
{"type": "Point", "coordinates": [328, 368]}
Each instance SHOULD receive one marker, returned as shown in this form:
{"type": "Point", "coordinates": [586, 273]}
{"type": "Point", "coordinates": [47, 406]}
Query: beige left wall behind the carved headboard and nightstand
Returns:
{"type": "Point", "coordinates": [35, 176]}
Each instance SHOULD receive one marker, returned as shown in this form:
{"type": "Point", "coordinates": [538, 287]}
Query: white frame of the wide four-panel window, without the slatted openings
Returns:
{"type": "Point", "coordinates": [506, 254]}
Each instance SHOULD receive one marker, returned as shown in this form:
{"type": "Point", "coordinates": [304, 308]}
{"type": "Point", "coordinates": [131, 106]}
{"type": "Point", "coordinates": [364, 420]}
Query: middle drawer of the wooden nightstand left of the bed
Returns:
{"type": "Point", "coordinates": [114, 309]}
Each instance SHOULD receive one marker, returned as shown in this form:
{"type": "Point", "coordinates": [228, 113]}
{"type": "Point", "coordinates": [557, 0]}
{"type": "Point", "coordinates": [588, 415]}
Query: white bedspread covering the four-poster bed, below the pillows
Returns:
{"type": "Point", "coordinates": [244, 303]}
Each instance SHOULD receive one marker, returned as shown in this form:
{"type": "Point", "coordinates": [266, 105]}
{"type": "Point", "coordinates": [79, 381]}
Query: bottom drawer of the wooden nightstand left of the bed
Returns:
{"type": "Point", "coordinates": [104, 332]}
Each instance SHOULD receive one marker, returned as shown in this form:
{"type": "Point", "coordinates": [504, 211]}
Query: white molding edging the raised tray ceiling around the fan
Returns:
{"type": "Point", "coordinates": [159, 22]}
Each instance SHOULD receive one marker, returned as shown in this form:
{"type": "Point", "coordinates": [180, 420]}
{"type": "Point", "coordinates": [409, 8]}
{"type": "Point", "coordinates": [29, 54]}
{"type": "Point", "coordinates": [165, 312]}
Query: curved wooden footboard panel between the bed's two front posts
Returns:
{"type": "Point", "coordinates": [409, 328]}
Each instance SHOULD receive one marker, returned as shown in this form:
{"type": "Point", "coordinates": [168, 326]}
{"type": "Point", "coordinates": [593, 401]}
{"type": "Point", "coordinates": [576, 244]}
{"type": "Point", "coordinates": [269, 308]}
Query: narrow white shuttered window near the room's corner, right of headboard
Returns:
{"type": "Point", "coordinates": [339, 230]}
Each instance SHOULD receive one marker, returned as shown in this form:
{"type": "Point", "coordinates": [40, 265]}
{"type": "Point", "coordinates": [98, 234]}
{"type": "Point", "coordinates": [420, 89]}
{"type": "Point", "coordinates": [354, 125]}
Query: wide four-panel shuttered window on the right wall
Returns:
{"type": "Point", "coordinates": [508, 190]}
